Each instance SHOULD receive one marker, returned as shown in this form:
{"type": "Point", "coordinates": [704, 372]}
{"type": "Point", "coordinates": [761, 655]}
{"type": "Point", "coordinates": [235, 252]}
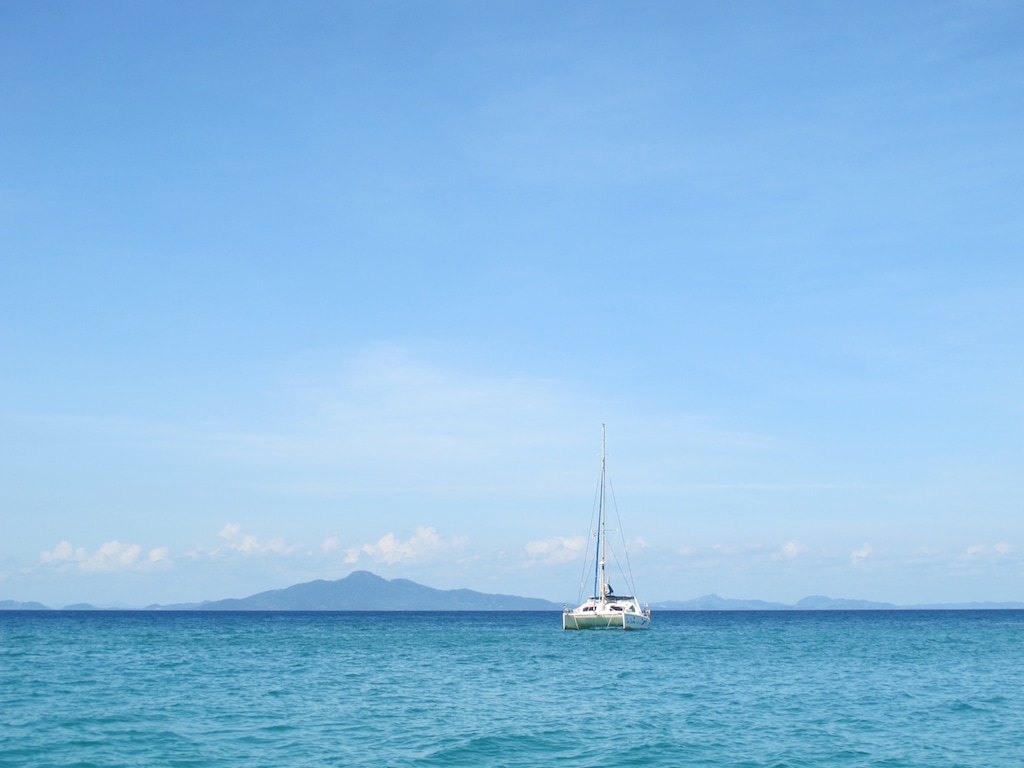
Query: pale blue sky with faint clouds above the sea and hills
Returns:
{"type": "Point", "coordinates": [293, 290]}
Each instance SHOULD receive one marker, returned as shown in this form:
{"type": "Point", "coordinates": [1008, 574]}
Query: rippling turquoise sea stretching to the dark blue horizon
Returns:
{"type": "Point", "coordinates": [511, 690]}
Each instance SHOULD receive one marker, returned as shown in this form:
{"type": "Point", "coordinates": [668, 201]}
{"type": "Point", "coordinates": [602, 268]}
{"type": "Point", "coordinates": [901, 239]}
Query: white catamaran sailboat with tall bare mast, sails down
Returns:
{"type": "Point", "coordinates": [606, 610]}
